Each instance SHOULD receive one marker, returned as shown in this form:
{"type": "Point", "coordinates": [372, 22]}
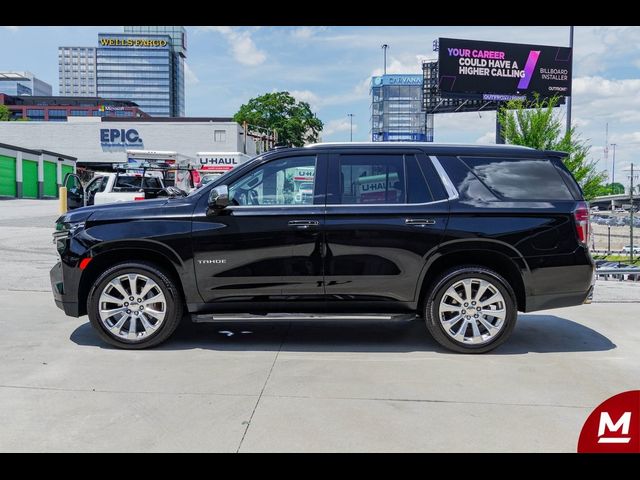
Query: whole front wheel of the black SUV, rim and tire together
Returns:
{"type": "Point", "coordinates": [135, 305]}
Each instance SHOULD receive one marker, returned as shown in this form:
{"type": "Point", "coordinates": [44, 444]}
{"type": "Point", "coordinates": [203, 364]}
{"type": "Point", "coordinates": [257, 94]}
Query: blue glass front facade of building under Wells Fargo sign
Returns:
{"type": "Point", "coordinates": [136, 68]}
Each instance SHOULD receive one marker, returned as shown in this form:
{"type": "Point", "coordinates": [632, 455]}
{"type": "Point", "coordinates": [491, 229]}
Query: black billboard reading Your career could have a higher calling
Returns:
{"type": "Point", "coordinates": [503, 69]}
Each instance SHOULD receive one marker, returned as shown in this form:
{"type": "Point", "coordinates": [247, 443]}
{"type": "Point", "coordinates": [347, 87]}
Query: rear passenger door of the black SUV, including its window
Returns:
{"type": "Point", "coordinates": [386, 212]}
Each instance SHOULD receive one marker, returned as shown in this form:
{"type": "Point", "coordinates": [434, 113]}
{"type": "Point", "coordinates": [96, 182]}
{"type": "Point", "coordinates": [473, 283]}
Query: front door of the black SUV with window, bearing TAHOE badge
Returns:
{"type": "Point", "coordinates": [266, 246]}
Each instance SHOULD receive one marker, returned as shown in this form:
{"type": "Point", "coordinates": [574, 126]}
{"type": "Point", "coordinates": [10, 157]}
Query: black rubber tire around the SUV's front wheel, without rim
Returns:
{"type": "Point", "coordinates": [171, 291]}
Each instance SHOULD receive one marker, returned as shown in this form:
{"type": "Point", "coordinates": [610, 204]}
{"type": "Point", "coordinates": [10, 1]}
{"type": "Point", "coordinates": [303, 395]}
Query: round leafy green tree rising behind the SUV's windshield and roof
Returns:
{"type": "Point", "coordinates": [294, 121]}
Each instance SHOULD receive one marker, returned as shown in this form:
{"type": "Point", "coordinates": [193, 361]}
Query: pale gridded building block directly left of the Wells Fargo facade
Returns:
{"type": "Point", "coordinates": [77, 71]}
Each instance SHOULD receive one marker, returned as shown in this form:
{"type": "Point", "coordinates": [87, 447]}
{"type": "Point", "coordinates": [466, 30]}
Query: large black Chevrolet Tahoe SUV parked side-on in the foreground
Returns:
{"type": "Point", "coordinates": [462, 236]}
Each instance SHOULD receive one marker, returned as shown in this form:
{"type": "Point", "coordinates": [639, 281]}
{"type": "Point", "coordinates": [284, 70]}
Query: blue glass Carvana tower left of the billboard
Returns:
{"type": "Point", "coordinates": [396, 109]}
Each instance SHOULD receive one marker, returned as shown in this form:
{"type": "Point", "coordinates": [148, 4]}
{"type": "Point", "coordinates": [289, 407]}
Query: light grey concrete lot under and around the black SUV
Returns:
{"type": "Point", "coordinates": [295, 387]}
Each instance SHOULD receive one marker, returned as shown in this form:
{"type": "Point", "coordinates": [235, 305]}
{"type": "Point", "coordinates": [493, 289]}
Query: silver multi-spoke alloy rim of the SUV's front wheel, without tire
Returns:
{"type": "Point", "coordinates": [132, 307]}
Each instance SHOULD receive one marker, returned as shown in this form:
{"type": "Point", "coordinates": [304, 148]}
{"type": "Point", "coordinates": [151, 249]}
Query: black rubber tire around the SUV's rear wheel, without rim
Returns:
{"type": "Point", "coordinates": [439, 287]}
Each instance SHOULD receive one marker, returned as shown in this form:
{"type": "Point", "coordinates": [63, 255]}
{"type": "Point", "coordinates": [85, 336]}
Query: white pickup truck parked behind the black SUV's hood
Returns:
{"type": "Point", "coordinates": [107, 187]}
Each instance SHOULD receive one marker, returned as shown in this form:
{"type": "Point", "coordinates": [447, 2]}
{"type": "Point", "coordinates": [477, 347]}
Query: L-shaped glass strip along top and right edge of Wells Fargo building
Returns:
{"type": "Point", "coordinates": [178, 44]}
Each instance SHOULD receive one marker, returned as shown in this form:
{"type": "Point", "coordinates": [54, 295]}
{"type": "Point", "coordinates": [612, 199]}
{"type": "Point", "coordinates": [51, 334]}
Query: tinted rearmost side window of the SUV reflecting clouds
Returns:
{"type": "Point", "coordinates": [519, 179]}
